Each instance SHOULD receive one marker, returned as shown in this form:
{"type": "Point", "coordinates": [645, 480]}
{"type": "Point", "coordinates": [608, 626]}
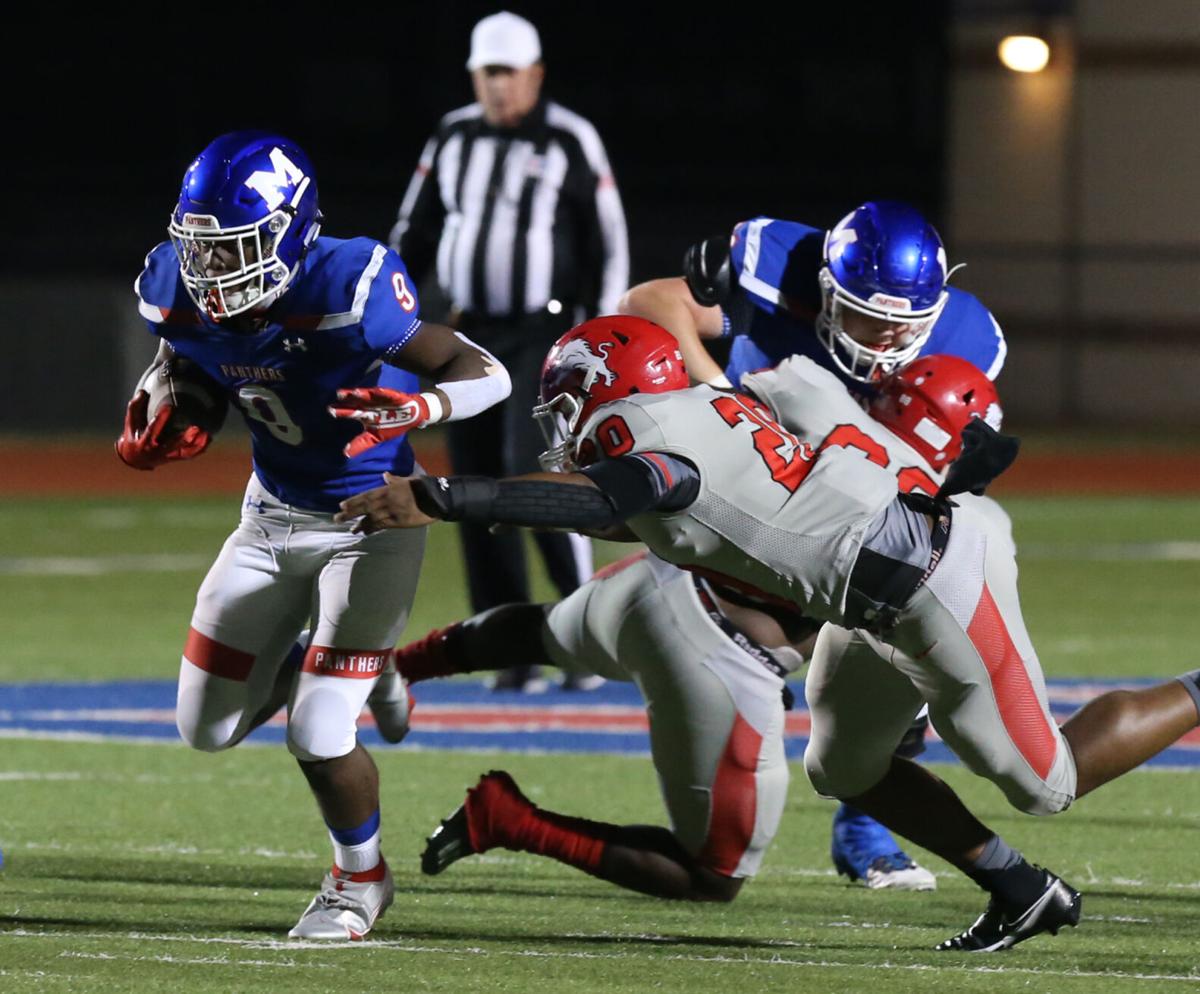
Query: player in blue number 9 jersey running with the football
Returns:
{"type": "Point", "coordinates": [319, 342]}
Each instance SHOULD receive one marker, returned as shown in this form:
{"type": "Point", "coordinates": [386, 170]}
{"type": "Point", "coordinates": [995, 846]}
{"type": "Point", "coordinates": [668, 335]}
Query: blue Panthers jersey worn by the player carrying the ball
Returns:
{"type": "Point", "coordinates": [352, 307]}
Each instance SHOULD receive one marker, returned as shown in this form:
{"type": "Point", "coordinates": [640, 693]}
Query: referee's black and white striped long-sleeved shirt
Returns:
{"type": "Point", "coordinates": [519, 218]}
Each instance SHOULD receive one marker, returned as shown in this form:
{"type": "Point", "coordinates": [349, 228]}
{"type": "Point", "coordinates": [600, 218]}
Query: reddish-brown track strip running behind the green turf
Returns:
{"type": "Point", "coordinates": [79, 469]}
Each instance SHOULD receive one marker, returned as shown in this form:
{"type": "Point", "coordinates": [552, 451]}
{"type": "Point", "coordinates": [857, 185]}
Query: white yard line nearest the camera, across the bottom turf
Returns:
{"type": "Point", "coordinates": [748, 959]}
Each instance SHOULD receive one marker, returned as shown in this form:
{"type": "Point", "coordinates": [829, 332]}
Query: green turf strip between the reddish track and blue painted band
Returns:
{"type": "Point", "coordinates": [1108, 585]}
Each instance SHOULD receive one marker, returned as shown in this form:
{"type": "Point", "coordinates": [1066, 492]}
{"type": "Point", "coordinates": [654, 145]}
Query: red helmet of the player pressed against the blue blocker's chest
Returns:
{"type": "Point", "coordinates": [932, 400]}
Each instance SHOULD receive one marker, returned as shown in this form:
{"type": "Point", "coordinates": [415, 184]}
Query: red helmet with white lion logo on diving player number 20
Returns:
{"type": "Point", "coordinates": [598, 362]}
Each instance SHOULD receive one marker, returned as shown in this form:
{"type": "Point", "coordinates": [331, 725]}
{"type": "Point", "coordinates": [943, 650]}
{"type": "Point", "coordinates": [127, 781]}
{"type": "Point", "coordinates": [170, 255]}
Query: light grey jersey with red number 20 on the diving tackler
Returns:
{"type": "Point", "coordinates": [773, 511]}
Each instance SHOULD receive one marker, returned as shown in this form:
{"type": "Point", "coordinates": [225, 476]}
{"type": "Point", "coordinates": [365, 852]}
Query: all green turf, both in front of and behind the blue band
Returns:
{"type": "Point", "coordinates": [154, 869]}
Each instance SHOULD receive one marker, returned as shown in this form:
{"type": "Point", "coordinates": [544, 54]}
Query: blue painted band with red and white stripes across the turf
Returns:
{"type": "Point", "coordinates": [453, 715]}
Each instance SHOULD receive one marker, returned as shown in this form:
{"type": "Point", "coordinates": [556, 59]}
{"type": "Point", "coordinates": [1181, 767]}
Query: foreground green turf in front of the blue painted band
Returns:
{"type": "Point", "coordinates": [152, 869]}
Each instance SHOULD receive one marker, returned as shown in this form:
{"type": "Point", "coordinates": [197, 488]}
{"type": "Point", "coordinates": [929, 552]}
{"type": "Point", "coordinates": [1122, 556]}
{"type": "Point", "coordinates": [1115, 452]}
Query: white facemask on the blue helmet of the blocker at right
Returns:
{"type": "Point", "coordinates": [865, 363]}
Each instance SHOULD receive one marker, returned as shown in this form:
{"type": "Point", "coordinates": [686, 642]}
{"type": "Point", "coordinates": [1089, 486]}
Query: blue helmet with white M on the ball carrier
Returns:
{"type": "Point", "coordinates": [245, 220]}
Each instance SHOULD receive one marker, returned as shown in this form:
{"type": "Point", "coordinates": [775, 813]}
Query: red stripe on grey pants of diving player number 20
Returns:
{"type": "Point", "coordinates": [1019, 706]}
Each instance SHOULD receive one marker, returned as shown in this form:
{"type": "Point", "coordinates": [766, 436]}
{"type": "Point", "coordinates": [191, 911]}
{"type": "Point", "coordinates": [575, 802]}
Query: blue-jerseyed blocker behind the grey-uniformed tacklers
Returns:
{"type": "Point", "coordinates": [862, 300]}
